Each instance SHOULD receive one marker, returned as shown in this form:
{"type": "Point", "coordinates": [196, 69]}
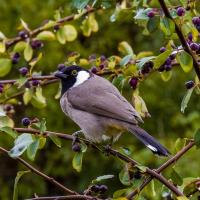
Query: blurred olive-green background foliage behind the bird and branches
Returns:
{"type": "Point", "coordinates": [163, 100]}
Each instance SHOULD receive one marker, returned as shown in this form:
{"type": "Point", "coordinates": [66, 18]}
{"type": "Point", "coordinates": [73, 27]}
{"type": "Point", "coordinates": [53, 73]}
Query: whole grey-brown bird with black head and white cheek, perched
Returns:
{"type": "Point", "coordinates": [99, 109]}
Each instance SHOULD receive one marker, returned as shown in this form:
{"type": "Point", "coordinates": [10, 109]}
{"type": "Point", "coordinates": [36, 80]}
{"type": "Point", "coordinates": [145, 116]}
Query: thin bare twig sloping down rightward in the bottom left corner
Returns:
{"type": "Point", "coordinates": [38, 172]}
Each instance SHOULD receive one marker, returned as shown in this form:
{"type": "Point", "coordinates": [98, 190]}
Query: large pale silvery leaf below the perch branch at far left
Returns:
{"type": "Point", "coordinates": [20, 145]}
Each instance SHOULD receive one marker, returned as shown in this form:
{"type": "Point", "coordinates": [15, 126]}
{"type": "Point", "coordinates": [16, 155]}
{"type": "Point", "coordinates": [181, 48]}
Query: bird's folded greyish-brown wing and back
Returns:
{"type": "Point", "coordinates": [99, 96]}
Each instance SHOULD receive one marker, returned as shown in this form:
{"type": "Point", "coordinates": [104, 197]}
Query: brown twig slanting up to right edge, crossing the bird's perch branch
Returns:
{"type": "Point", "coordinates": [161, 168]}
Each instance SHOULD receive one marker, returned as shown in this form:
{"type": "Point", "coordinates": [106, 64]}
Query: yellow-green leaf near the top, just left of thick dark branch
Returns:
{"type": "Point", "coordinates": [167, 26]}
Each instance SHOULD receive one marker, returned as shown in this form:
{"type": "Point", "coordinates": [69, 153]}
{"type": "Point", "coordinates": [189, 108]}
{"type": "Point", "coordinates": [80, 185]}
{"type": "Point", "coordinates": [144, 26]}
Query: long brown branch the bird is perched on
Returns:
{"type": "Point", "coordinates": [112, 152]}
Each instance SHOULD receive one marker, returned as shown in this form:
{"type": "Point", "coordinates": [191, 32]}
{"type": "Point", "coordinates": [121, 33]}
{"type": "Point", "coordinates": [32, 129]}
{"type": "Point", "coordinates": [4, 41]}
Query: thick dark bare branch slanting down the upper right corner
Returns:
{"type": "Point", "coordinates": [181, 38]}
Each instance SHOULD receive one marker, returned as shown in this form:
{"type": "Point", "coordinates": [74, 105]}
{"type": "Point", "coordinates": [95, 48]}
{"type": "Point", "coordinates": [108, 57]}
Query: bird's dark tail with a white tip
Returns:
{"type": "Point", "coordinates": [149, 141]}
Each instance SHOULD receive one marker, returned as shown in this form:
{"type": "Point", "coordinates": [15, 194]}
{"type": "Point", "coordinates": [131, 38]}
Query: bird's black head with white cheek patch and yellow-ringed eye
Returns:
{"type": "Point", "coordinates": [72, 76]}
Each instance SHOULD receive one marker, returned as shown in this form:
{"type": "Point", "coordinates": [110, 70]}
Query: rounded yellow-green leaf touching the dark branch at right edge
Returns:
{"type": "Point", "coordinates": [185, 61]}
